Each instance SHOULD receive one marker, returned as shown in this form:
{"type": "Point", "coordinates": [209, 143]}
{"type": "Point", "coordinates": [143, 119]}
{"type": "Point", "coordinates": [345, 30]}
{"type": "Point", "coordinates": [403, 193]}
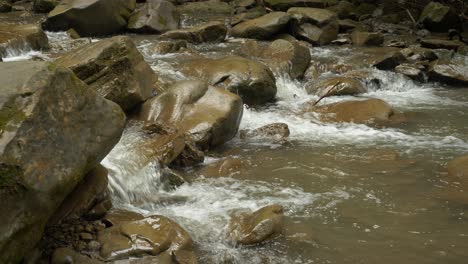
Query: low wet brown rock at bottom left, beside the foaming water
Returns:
{"type": "Point", "coordinates": [150, 236]}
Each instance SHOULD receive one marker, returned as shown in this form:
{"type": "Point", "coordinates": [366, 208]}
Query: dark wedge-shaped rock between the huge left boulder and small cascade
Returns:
{"type": "Point", "coordinates": [88, 193]}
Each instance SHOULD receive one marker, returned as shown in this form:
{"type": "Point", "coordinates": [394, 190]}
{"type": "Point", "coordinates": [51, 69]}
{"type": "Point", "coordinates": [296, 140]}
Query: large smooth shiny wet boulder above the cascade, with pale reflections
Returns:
{"type": "Point", "coordinates": [210, 115]}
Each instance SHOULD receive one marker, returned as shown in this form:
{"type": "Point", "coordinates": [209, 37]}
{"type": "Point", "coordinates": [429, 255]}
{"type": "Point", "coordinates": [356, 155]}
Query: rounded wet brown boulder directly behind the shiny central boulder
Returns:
{"type": "Point", "coordinates": [251, 80]}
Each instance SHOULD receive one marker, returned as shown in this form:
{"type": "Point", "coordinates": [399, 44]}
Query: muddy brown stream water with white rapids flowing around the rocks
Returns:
{"type": "Point", "coordinates": [352, 193]}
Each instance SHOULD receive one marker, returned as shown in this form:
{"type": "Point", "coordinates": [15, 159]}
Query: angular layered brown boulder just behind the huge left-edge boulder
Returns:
{"type": "Point", "coordinates": [115, 69]}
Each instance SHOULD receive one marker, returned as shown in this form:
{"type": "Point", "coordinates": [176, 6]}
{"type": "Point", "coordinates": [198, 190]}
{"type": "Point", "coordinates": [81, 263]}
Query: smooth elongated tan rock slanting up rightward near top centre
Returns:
{"type": "Point", "coordinates": [264, 27]}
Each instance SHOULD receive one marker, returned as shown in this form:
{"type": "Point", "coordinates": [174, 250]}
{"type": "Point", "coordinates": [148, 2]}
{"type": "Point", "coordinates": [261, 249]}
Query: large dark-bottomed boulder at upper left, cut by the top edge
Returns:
{"type": "Point", "coordinates": [90, 17]}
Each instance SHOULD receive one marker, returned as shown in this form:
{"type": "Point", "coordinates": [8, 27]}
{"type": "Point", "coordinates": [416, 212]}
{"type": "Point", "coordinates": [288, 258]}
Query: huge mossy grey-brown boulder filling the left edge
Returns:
{"type": "Point", "coordinates": [52, 135]}
